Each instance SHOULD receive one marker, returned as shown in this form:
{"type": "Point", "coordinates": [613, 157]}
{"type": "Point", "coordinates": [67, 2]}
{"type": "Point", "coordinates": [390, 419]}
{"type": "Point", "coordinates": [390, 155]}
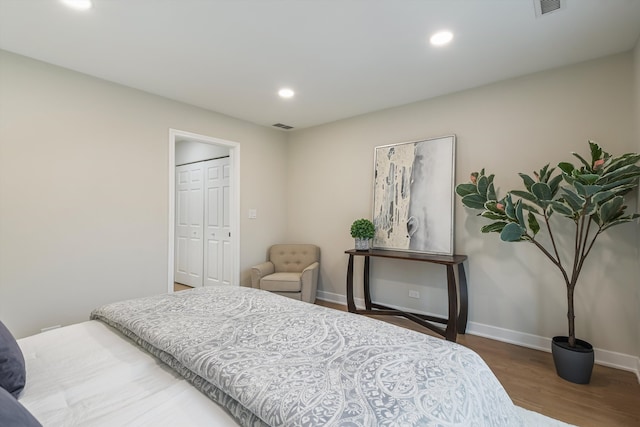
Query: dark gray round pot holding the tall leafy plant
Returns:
{"type": "Point", "coordinates": [573, 364]}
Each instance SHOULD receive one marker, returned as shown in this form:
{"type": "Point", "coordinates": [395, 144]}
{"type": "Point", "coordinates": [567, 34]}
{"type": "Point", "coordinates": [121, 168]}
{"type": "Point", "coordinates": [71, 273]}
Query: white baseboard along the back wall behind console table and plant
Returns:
{"type": "Point", "coordinates": [608, 358]}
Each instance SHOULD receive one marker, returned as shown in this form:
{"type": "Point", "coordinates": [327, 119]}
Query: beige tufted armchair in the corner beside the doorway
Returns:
{"type": "Point", "coordinates": [292, 271]}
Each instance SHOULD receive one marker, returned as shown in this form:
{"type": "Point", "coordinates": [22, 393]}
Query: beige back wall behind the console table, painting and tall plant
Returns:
{"type": "Point", "coordinates": [512, 126]}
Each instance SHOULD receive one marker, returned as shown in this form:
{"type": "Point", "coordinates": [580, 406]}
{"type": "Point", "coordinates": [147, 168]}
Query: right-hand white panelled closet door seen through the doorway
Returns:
{"type": "Point", "coordinates": [217, 254]}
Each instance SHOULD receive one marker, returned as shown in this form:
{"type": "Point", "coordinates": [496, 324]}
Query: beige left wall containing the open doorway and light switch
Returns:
{"type": "Point", "coordinates": [84, 191]}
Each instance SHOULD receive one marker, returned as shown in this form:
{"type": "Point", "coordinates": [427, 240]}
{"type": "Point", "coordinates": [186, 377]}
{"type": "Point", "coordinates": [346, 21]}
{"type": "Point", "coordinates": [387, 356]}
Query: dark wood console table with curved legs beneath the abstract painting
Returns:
{"type": "Point", "coordinates": [457, 319]}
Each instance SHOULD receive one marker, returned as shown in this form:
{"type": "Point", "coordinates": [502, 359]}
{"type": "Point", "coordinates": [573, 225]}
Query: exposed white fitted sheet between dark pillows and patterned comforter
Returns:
{"type": "Point", "coordinates": [88, 374]}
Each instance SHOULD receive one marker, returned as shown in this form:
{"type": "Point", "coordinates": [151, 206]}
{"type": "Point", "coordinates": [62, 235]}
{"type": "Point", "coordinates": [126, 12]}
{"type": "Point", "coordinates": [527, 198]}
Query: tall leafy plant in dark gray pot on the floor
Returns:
{"type": "Point", "coordinates": [591, 196]}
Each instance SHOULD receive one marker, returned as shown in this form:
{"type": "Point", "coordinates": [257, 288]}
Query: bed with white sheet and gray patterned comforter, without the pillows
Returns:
{"type": "Point", "coordinates": [228, 356]}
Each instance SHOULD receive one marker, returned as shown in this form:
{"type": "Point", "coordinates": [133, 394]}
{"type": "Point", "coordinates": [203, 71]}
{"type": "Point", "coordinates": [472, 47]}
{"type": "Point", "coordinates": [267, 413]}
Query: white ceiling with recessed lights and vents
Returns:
{"type": "Point", "coordinates": [342, 57]}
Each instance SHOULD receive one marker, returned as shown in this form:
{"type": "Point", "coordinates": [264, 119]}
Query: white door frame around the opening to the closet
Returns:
{"type": "Point", "coordinates": [234, 208]}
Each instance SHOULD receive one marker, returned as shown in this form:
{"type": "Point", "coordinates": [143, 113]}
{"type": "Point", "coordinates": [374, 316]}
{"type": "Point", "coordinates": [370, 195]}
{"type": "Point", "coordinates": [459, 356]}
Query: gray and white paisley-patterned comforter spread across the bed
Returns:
{"type": "Point", "coordinates": [274, 361]}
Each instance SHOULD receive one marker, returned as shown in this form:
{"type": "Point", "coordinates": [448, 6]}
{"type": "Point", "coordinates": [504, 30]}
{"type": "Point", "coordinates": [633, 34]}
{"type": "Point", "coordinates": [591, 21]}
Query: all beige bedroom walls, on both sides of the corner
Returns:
{"type": "Point", "coordinates": [83, 194]}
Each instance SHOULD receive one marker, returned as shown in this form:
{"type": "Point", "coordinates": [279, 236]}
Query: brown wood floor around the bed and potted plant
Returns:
{"type": "Point", "coordinates": [612, 399]}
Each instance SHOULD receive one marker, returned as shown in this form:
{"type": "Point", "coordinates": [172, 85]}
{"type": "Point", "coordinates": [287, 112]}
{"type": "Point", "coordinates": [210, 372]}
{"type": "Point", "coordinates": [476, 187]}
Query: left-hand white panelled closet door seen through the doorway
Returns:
{"type": "Point", "coordinates": [189, 224]}
